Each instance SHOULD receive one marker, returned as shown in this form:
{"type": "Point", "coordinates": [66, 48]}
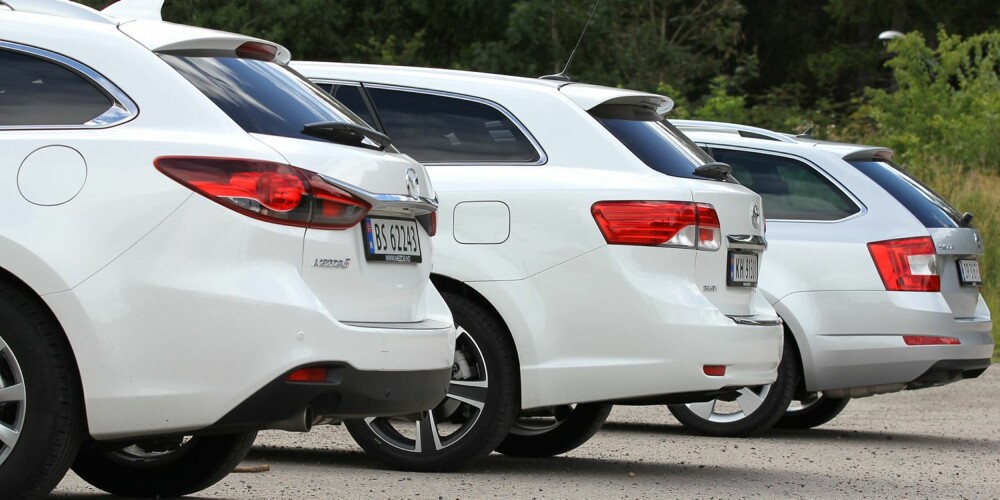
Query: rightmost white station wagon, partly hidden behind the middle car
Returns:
{"type": "Point", "coordinates": [876, 276]}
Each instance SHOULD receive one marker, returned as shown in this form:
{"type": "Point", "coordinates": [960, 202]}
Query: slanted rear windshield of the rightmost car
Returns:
{"type": "Point", "coordinates": [930, 208]}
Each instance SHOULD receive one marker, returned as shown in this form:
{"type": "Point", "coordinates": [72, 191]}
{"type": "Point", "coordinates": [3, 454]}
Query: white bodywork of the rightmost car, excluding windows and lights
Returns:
{"type": "Point", "coordinates": [821, 278]}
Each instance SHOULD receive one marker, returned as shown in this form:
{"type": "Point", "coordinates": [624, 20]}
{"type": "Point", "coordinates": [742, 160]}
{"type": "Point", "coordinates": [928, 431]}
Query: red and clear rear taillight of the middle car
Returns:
{"type": "Point", "coordinates": [659, 223]}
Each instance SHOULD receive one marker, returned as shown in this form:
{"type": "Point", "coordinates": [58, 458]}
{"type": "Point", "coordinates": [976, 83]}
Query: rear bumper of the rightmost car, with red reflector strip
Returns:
{"type": "Point", "coordinates": [854, 340]}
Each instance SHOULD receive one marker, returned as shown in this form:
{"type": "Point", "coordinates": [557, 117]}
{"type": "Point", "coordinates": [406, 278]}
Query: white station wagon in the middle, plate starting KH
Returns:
{"type": "Point", "coordinates": [576, 270]}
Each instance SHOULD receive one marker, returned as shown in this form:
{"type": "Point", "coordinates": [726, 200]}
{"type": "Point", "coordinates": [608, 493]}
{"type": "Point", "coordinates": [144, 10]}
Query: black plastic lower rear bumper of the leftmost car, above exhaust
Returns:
{"type": "Point", "coordinates": [346, 393]}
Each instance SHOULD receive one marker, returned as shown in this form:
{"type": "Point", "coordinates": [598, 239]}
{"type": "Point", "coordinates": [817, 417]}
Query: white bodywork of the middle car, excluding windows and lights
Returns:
{"type": "Point", "coordinates": [591, 321]}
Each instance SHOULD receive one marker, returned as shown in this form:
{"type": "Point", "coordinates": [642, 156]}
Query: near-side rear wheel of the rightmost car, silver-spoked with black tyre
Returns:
{"type": "Point", "coordinates": [776, 399]}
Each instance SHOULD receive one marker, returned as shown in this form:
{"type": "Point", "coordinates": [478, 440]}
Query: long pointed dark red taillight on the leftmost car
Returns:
{"type": "Point", "coordinates": [268, 191]}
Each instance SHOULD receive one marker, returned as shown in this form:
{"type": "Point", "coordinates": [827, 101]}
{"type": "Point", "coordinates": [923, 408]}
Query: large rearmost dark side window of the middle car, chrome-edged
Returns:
{"type": "Point", "coordinates": [439, 129]}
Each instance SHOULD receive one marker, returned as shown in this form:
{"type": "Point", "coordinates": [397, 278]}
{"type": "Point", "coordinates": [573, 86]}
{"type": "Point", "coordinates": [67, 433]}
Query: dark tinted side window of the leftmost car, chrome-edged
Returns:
{"type": "Point", "coordinates": [38, 92]}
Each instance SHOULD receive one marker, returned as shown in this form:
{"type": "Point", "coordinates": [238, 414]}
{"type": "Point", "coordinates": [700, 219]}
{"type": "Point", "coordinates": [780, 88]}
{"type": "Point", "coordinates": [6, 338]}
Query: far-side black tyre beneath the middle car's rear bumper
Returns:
{"type": "Point", "coordinates": [566, 429]}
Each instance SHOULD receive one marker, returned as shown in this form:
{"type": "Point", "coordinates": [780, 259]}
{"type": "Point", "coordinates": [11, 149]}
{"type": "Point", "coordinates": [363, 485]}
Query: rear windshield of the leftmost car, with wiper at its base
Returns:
{"type": "Point", "coordinates": [262, 97]}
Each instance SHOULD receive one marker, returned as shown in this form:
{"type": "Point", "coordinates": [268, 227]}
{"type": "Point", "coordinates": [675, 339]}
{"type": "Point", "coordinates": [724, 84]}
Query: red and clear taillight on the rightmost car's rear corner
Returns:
{"type": "Point", "coordinates": [907, 265]}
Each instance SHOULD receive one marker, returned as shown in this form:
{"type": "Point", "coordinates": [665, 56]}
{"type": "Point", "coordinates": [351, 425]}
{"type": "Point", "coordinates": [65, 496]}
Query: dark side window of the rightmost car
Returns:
{"type": "Point", "coordinates": [790, 189]}
